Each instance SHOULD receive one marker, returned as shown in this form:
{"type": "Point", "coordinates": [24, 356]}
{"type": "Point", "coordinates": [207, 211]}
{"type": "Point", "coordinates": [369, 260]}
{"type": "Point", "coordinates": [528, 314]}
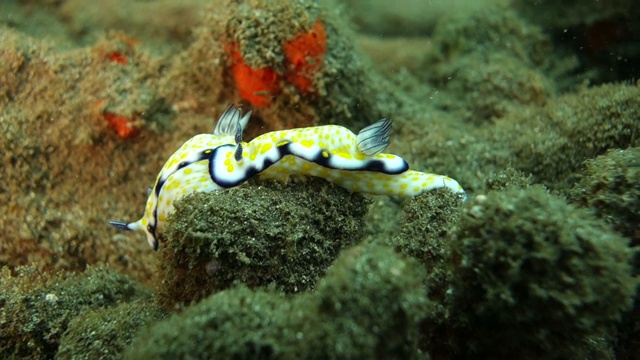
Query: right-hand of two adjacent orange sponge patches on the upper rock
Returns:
{"type": "Point", "coordinates": [305, 54]}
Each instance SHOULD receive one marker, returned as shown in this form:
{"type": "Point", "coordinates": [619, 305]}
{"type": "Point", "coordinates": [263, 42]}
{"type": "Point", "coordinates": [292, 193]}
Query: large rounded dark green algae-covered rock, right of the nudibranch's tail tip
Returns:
{"type": "Point", "coordinates": [535, 278]}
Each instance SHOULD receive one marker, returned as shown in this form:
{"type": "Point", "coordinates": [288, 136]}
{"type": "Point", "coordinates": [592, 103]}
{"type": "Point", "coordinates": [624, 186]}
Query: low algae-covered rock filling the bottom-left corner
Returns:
{"type": "Point", "coordinates": [36, 308]}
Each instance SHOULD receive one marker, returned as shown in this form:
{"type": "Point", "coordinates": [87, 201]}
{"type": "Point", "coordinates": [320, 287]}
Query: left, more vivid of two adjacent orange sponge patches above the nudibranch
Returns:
{"type": "Point", "coordinates": [257, 86]}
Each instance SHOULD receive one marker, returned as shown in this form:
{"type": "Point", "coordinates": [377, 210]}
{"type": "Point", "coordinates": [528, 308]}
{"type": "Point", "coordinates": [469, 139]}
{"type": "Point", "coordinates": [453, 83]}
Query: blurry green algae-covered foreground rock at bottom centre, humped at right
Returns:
{"type": "Point", "coordinates": [369, 305]}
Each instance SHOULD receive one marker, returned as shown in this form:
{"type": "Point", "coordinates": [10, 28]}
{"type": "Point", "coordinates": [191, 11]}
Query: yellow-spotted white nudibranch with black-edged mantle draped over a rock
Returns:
{"type": "Point", "coordinates": [210, 162]}
